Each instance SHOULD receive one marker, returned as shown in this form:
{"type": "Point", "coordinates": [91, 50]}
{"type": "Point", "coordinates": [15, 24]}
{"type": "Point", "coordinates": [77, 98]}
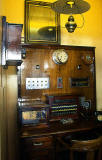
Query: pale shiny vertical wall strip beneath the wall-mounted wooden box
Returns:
{"type": "Point", "coordinates": [12, 113]}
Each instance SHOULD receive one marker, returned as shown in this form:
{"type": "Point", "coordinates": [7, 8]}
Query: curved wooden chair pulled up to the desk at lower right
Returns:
{"type": "Point", "coordinates": [89, 147]}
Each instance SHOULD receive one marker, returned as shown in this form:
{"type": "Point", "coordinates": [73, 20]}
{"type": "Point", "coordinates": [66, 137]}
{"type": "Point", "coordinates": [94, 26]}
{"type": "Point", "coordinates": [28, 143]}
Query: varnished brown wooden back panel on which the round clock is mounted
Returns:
{"type": "Point", "coordinates": [42, 56]}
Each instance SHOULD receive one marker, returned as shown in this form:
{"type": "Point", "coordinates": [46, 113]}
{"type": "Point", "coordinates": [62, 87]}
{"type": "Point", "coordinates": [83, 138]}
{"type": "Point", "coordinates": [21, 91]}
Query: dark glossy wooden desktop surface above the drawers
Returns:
{"type": "Point", "coordinates": [55, 128]}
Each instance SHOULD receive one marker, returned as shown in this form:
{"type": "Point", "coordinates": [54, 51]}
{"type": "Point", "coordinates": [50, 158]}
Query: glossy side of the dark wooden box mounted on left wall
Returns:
{"type": "Point", "coordinates": [13, 51]}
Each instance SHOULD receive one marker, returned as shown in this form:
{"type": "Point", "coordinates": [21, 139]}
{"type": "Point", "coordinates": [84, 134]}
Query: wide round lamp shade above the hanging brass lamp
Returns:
{"type": "Point", "coordinates": [70, 6]}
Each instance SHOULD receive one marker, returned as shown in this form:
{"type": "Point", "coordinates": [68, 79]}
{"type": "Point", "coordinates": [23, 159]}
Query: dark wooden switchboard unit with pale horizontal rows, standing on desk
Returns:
{"type": "Point", "coordinates": [63, 106]}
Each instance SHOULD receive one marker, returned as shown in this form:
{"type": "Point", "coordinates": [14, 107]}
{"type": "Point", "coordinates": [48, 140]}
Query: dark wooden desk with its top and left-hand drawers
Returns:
{"type": "Point", "coordinates": [39, 143]}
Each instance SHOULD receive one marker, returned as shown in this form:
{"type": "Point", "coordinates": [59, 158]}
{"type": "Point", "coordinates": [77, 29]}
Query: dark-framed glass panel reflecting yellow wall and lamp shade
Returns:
{"type": "Point", "coordinates": [41, 23]}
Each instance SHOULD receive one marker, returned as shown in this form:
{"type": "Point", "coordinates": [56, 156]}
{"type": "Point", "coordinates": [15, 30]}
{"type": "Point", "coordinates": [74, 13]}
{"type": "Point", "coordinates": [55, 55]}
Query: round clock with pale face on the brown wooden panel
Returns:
{"type": "Point", "coordinates": [60, 56]}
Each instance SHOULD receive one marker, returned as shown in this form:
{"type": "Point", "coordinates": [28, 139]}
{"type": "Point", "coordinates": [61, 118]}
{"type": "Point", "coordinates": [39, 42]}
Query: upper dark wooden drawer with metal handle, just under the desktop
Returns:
{"type": "Point", "coordinates": [38, 143]}
